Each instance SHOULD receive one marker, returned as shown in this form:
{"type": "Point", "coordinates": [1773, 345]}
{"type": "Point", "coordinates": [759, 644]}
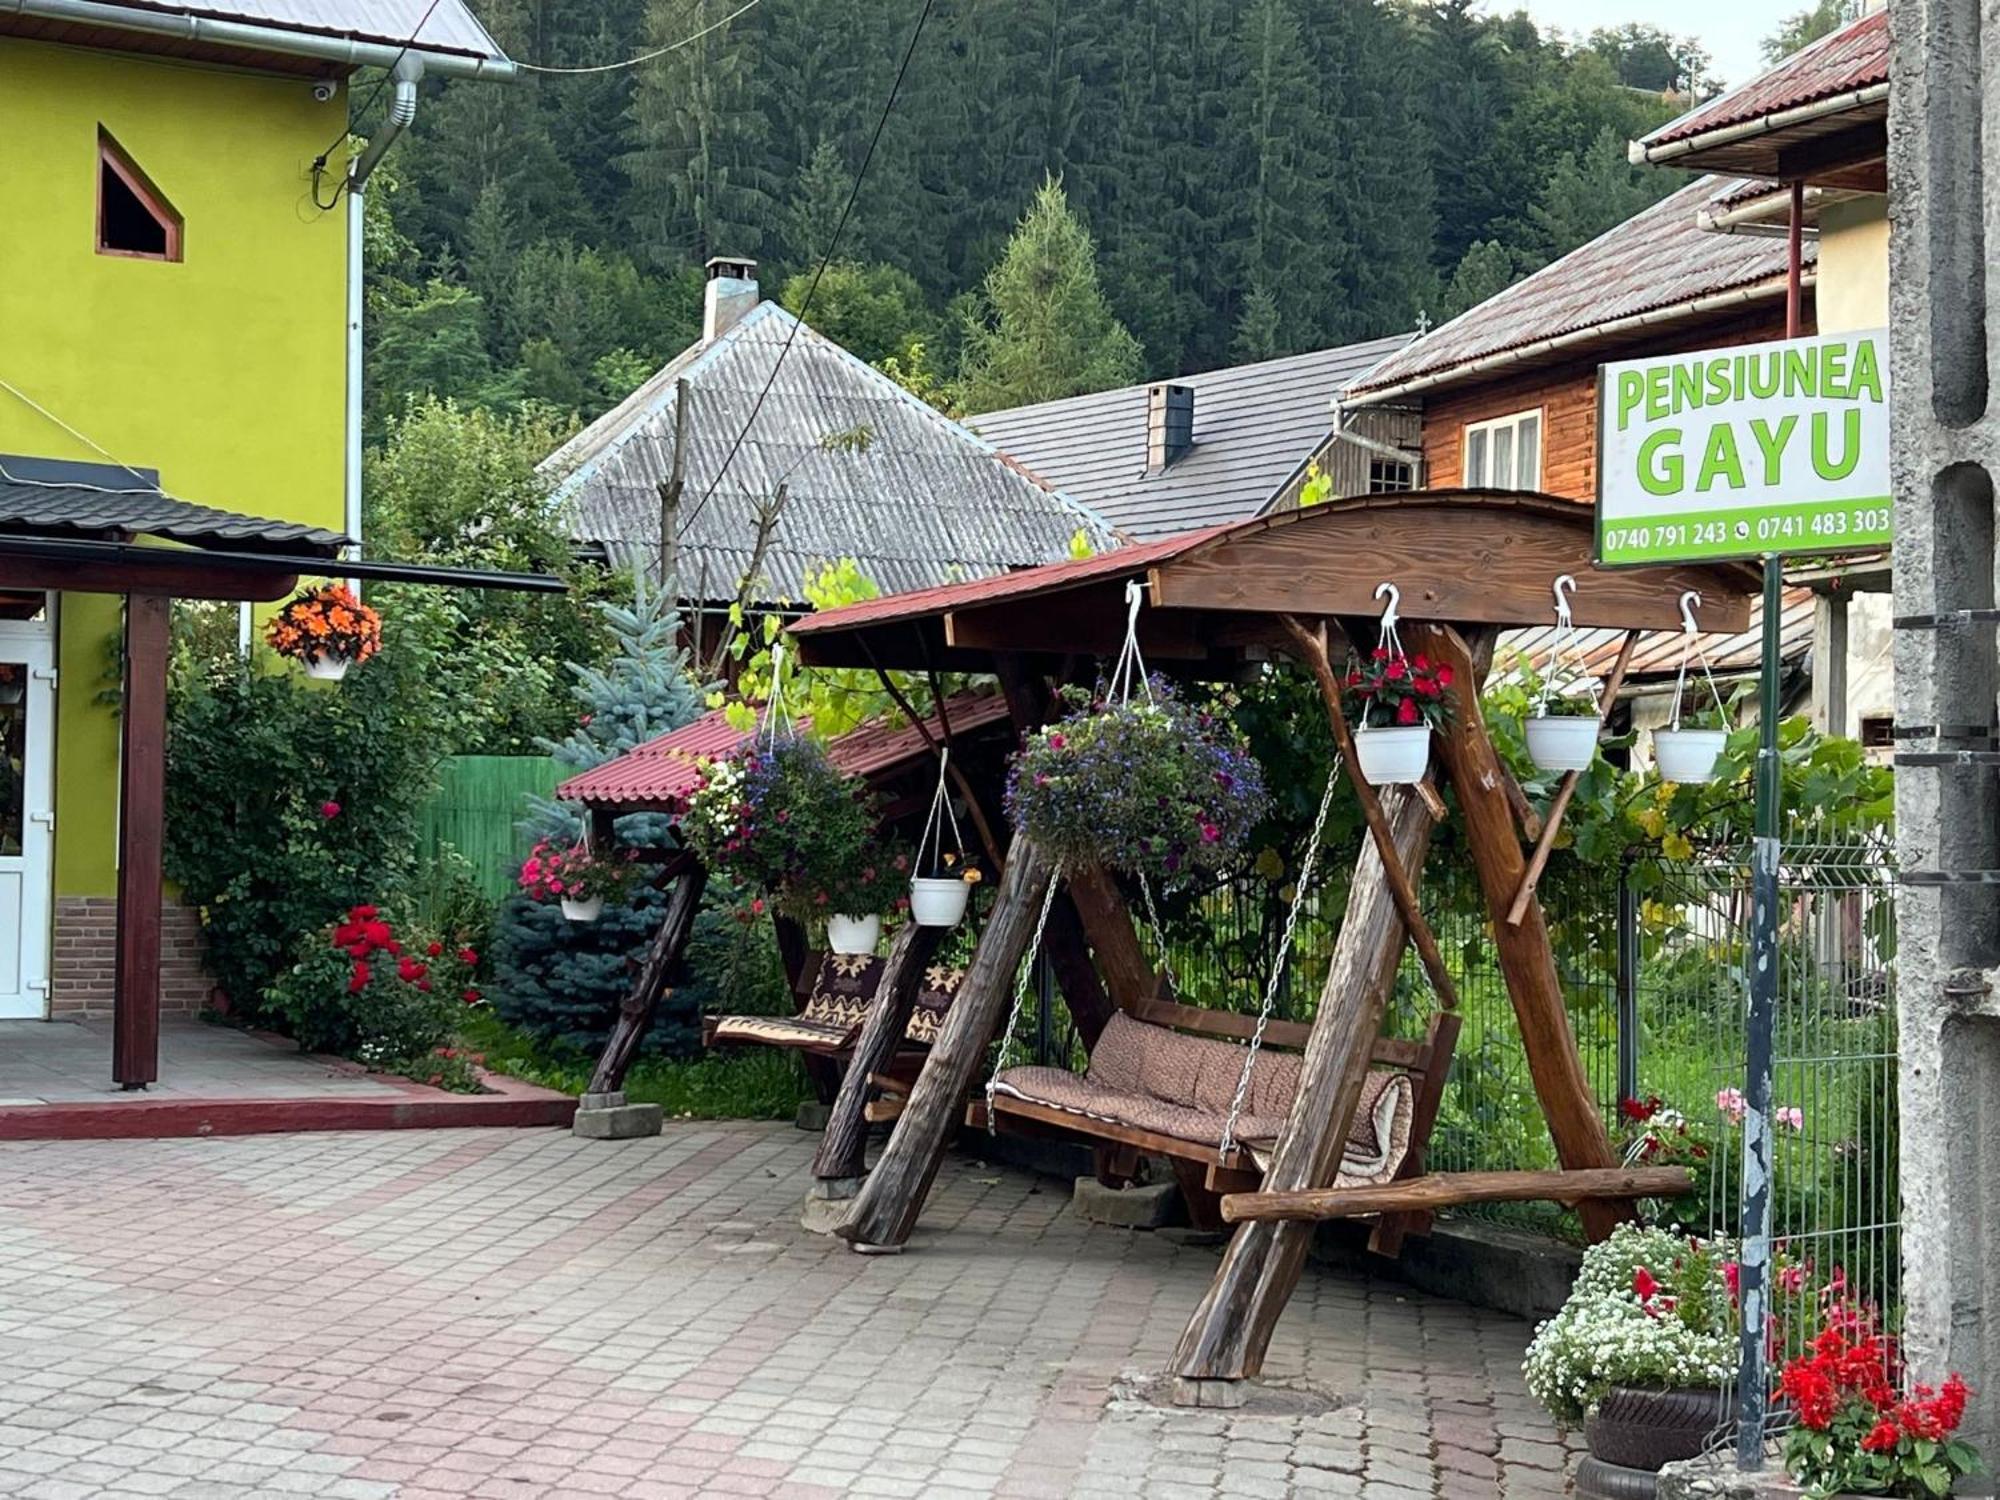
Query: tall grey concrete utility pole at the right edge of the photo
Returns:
{"type": "Point", "coordinates": [1945, 205]}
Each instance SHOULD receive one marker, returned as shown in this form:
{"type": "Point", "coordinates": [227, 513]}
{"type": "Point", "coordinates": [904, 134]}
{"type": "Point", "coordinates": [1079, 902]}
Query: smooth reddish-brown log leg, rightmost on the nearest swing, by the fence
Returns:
{"type": "Point", "coordinates": [1527, 959]}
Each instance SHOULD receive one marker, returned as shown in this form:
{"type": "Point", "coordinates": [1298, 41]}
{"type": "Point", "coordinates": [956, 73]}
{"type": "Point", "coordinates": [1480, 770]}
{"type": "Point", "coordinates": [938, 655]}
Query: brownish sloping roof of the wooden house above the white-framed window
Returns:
{"type": "Point", "coordinates": [1657, 259]}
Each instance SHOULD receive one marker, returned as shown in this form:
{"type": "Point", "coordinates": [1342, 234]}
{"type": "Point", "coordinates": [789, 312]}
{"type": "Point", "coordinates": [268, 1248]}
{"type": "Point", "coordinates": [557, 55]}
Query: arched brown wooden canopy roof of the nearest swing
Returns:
{"type": "Point", "coordinates": [1217, 597]}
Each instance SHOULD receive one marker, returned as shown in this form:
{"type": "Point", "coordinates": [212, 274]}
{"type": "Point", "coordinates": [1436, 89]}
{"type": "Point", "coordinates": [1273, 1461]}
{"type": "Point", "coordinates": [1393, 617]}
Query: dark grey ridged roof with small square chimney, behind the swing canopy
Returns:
{"type": "Point", "coordinates": [1253, 427]}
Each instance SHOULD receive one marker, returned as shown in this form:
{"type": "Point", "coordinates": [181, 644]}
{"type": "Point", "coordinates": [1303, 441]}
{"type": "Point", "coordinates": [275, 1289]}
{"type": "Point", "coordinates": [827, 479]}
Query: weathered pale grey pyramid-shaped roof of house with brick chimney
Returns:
{"type": "Point", "coordinates": [921, 505]}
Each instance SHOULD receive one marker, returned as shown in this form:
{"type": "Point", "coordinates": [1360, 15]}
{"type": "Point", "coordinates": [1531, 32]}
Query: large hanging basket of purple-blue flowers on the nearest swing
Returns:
{"type": "Point", "coordinates": [1153, 787]}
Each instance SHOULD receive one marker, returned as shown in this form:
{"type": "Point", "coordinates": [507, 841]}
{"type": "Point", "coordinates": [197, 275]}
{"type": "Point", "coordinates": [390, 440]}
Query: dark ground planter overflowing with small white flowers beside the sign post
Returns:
{"type": "Point", "coordinates": [1641, 1347]}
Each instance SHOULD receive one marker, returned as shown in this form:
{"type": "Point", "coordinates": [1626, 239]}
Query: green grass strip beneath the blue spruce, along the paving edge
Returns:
{"type": "Point", "coordinates": [749, 1085]}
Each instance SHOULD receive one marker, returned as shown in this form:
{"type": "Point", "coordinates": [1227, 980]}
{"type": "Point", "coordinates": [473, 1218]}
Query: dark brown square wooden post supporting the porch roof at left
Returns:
{"type": "Point", "coordinates": [141, 843]}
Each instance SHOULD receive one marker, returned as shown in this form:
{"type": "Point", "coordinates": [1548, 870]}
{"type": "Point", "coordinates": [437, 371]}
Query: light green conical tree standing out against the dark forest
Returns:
{"type": "Point", "coordinates": [1043, 329]}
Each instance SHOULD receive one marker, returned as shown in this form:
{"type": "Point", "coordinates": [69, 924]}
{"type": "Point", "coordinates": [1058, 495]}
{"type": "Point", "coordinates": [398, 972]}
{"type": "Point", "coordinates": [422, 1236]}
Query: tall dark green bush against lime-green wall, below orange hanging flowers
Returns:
{"type": "Point", "coordinates": [289, 803]}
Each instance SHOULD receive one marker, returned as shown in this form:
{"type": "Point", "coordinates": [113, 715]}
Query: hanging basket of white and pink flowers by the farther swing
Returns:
{"type": "Point", "coordinates": [783, 821]}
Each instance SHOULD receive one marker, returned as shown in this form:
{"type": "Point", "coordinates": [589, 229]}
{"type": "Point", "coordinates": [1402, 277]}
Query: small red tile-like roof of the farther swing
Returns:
{"type": "Point", "coordinates": [665, 771]}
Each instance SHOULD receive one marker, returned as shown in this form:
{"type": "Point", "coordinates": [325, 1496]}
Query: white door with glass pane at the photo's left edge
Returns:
{"type": "Point", "coordinates": [27, 815]}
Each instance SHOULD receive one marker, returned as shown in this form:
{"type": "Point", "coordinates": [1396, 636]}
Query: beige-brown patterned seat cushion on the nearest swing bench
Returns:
{"type": "Point", "coordinates": [1171, 1085]}
